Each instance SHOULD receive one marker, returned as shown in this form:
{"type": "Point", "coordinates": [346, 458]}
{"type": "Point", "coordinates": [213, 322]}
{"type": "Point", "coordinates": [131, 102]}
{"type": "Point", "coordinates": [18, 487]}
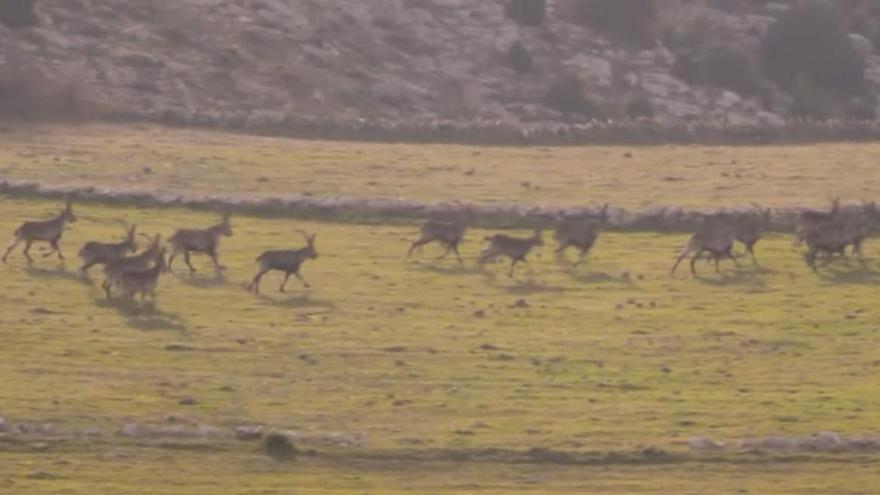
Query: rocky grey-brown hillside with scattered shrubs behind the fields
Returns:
{"type": "Point", "coordinates": [414, 61]}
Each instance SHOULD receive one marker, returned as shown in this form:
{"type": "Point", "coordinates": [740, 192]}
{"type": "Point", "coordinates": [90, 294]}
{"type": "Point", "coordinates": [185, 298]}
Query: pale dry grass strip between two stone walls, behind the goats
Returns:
{"type": "Point", "coordinates": [180, 160]}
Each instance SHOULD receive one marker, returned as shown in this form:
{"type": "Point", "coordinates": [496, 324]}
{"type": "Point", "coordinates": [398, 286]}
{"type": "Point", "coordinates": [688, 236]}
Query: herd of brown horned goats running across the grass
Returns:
{"type": "Point", "coordinates": [824, 232]}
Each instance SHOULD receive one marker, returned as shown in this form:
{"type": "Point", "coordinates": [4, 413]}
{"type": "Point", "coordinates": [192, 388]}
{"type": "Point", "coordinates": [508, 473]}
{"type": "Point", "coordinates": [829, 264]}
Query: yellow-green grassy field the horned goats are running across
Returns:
{"type": "Point", "coordinates": [421, 360]}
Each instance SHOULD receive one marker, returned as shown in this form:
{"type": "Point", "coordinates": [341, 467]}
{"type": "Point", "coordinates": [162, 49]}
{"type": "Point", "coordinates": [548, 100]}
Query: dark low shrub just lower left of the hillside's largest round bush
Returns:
{"type": "Point", "coordinates": [722, 66]}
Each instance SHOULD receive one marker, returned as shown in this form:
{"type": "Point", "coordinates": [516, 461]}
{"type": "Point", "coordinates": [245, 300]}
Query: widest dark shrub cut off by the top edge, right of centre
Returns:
{"type": "Point", "coordinates": [628, 20]}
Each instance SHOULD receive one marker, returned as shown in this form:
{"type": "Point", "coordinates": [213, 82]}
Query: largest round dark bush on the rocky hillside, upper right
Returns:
{"type": "Point", "coordinates": [812, 39]}
